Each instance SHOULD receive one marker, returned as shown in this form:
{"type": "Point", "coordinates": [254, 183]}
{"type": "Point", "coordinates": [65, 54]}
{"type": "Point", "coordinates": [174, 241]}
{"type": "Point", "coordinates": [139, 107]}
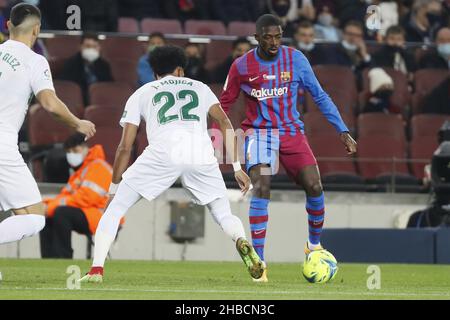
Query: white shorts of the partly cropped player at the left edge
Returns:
{"type": "Point", "coordinates": [18, 189]}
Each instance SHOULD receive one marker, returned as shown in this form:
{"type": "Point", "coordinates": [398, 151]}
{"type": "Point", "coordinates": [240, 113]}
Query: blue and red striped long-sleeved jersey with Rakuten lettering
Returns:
{"type": "Point", "coordinates": [272, 88]}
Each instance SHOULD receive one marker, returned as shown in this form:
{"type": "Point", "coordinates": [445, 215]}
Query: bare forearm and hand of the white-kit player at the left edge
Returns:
{"type": "Point", "coordinates": [50, 102]}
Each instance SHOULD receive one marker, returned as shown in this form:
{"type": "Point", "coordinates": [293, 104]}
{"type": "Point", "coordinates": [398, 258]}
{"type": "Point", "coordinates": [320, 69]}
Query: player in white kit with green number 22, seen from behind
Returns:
{"type": "Point", "coordinates": [175, 110]}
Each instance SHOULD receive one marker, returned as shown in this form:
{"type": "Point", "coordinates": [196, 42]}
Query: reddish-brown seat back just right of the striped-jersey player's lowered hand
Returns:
{"type": "Point", "coordinates": [381, 124]}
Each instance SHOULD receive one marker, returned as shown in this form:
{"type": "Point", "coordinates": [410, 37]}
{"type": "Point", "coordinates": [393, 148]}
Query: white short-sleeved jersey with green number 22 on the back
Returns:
{"type": "Point", "coordinates": [175, 110]}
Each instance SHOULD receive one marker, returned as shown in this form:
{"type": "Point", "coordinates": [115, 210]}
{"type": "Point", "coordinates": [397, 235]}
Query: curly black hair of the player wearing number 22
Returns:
{"type": "Point", "coordinates": [166, 59]}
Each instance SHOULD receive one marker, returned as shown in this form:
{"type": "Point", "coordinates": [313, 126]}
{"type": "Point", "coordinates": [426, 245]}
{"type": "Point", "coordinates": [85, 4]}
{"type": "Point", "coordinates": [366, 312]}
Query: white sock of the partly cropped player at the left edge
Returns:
{"type": "Point", "coordinates": [17, 227]}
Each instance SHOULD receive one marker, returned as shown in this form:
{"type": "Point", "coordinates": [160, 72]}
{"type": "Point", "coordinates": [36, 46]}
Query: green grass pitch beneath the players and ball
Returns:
{"type": "Point", "coordinates": [47, 279]}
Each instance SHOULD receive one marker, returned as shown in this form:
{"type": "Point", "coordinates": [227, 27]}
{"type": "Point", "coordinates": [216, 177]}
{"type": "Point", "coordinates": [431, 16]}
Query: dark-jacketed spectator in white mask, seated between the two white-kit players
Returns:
{"type": "Point", "coordinates": [87, 67]}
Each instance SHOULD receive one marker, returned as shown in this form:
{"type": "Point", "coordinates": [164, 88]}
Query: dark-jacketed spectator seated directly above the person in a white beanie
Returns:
{"type": "Point", "coordinates": [393, 54]}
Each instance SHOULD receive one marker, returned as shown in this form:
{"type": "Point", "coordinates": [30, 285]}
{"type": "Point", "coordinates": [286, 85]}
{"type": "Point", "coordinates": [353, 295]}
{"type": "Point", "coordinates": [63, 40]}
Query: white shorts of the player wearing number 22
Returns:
{"type": "Point", "coordinates": [152, 174]}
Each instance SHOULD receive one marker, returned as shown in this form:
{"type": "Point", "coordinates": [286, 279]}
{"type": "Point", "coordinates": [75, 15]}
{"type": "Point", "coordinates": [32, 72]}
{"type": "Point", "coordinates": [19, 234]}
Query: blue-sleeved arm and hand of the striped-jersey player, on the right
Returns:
{"type": "Point", "coordinates": [325, 104]}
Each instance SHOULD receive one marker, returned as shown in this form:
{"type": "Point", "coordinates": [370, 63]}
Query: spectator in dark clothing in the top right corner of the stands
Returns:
{"type": "Point", "coordinates": [424, 20]}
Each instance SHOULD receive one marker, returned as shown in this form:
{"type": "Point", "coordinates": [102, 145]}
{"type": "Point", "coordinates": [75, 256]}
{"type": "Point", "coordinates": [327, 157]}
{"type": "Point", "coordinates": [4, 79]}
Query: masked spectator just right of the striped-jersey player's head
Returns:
{"type": "Point", "coordinates": [304, 41]}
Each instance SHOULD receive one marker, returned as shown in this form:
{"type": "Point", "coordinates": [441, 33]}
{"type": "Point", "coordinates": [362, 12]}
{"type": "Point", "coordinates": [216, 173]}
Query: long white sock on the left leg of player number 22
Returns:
{"type": "Point", "coordinates": [106, 232]}
